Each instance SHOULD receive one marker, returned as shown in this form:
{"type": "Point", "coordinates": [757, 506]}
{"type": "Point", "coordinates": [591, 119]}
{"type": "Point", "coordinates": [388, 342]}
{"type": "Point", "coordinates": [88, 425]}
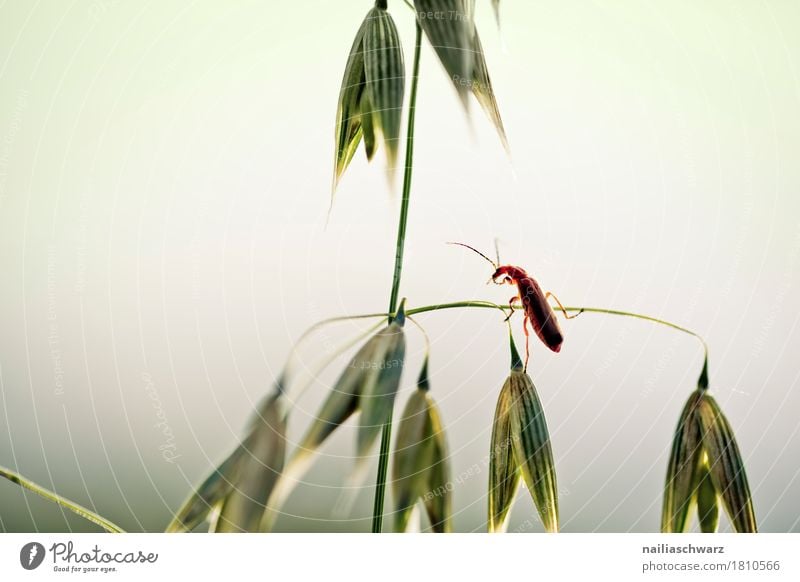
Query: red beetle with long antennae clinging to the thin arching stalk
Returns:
{"type": "Point", "coordinates": [537, 310]}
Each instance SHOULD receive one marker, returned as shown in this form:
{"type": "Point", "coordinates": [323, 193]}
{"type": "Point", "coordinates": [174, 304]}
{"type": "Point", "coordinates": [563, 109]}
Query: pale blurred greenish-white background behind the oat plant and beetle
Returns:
{"type": "Point", "coordinates": [165, 172]}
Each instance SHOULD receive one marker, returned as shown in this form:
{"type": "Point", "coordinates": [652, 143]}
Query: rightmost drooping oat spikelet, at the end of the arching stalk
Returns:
{"type": "Point", "coordinates": [705, 469]}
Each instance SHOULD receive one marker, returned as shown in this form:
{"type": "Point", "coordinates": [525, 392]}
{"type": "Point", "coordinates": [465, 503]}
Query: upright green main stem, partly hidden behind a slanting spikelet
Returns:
{"type": "Point", "coordinates": [386, 433]}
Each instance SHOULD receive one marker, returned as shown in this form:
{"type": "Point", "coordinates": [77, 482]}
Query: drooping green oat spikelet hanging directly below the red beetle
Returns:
{"type": "Point", "coordinates": [521, 447]}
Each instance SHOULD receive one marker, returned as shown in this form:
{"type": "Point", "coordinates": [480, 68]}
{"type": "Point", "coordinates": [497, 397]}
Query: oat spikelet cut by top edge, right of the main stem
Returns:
{"type": "Point", "coordinates": [450, 28]}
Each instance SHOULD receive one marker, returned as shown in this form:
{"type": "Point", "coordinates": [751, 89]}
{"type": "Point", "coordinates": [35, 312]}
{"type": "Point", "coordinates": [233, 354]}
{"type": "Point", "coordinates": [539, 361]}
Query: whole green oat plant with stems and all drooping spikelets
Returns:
{"type": "Point", "coordinates": [247, 490]}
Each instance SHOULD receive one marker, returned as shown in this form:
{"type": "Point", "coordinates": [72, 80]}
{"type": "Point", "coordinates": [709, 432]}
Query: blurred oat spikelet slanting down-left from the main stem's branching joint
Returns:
{"type": "Point", "coordinates": [368, 384]}
